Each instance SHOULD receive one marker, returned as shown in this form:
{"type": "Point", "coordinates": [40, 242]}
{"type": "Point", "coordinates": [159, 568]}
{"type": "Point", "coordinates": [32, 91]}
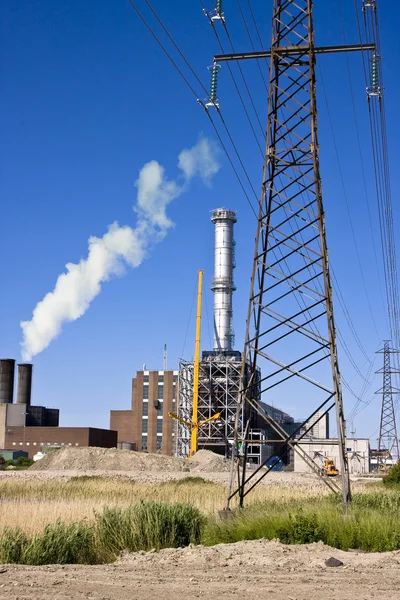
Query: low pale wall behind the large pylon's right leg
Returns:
{"type": "Point", "coordinates": [318, 450]}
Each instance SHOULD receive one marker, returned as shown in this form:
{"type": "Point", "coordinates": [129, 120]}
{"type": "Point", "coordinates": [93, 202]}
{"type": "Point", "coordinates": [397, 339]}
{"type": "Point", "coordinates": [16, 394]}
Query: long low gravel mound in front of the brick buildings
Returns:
{"type": "Point", "coordinates": [107, 459]}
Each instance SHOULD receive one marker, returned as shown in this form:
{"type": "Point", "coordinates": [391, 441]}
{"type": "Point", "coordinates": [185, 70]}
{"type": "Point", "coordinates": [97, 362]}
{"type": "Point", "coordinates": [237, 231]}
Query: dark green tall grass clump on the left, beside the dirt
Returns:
{"type": "Point", "coordinates": [141, 527]}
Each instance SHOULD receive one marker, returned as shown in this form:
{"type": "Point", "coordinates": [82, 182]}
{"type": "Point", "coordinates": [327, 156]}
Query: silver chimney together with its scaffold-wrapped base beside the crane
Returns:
{"type": "Point", "coordinates": [220, 368]}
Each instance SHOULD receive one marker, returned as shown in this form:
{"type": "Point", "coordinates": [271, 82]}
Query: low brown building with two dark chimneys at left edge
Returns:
{"type": "Point", "coordinates": [29, 428]}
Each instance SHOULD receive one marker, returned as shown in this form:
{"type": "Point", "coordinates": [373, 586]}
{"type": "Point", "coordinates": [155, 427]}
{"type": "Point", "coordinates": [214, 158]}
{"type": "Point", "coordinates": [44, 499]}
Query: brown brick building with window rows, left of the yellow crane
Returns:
{"type": "Point", "coordinates": [147, 424]}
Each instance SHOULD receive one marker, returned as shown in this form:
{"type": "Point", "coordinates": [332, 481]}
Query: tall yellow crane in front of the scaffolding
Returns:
{"type": "Point", "coordinates": [194, 423]}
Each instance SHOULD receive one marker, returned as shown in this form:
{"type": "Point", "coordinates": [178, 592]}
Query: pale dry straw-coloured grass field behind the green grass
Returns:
{"type": "Point", "coordinates": [33, 503]}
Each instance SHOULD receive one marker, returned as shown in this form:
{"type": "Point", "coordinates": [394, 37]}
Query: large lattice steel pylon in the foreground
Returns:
{"type": "Point", "coordinates": [290, 331]}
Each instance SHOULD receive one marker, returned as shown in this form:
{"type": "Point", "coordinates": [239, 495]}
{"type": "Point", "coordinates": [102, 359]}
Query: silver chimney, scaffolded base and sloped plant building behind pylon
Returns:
{"type": "Point", "coordinates": [220, 373]}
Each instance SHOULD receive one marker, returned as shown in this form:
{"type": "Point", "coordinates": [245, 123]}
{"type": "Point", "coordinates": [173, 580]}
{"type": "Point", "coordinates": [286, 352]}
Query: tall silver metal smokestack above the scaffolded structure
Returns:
{"type": "Point", "coordinates": [223, 285]}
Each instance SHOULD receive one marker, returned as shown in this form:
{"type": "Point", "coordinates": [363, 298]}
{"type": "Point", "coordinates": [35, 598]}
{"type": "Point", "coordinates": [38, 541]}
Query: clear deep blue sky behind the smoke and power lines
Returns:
{"type": "Point", "coordinates": [88, 99]}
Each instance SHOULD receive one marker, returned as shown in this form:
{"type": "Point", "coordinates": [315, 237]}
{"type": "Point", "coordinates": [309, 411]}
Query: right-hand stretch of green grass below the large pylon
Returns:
{"type": "Point", "coordinates": [372, 523]}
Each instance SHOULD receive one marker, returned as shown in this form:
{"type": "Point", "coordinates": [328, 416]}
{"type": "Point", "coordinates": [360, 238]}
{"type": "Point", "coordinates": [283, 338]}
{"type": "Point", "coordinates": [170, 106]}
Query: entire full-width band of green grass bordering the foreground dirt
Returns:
{"type": "Point", "coordinates": [372, 524]}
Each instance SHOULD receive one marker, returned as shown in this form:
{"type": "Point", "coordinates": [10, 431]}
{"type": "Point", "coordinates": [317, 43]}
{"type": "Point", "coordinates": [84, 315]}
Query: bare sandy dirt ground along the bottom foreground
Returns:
{"type": "Point", "coordinates": [259, 568]}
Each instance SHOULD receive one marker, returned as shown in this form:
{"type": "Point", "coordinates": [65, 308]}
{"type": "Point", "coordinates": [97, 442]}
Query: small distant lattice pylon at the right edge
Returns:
{"type": "Point", "coordinates": [388, 445]}
